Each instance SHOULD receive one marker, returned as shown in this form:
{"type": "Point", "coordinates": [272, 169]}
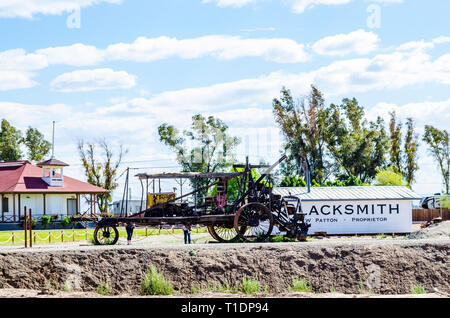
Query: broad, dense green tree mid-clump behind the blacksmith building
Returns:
{"type": "Point", "coordinates": [359, 147]}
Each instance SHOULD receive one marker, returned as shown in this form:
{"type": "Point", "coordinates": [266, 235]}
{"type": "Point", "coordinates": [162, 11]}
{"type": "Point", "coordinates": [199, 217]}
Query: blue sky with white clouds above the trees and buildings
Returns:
{"type": "Point", "coordinates": [117, 69]}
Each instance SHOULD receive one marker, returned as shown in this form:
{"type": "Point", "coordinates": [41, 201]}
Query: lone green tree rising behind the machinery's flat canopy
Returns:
{"type": "Point", "coordinates": [205, 147]}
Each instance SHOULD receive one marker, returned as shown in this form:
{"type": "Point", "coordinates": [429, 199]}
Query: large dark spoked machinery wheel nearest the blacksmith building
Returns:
{"type": "Point", "coordinates": [253, 222]}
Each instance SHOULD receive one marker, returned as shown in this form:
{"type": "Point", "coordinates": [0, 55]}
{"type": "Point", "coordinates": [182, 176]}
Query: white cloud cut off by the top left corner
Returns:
{"type": "Point", "coordinates": [30, 8]}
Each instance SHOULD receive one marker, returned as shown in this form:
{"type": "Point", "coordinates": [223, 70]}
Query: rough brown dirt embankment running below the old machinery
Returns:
{"type": "Point", "coordinates": [383, 267]}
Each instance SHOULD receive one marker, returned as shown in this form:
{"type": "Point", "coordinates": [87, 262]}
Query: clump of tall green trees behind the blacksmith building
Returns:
{"type": "Point", "coordinates": [337, 142]}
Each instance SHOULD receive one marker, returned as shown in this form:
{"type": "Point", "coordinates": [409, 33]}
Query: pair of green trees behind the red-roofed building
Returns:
{"type": "Point", "coordinates": [12, 142]}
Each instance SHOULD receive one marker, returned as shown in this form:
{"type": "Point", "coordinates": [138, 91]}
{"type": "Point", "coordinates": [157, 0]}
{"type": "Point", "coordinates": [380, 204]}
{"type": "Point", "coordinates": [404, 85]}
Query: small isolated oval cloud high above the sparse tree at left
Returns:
{"type": "Point", "coordinates": [89, 80]}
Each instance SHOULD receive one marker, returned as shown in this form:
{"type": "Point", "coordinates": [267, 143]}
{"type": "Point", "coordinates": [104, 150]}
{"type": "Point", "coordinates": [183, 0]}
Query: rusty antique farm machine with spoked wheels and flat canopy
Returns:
{"type": "Point", "coordinates": [251, 216]}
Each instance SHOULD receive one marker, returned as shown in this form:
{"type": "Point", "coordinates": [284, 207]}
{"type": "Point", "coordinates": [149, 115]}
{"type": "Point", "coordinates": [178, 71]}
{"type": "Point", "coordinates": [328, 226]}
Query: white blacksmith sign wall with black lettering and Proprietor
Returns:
{"type": "Point", "coordinates": [359, 217]}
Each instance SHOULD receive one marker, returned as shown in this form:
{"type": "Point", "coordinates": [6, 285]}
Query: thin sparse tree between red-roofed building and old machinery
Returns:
{"type": "Point", "coordinates": [101, 169]}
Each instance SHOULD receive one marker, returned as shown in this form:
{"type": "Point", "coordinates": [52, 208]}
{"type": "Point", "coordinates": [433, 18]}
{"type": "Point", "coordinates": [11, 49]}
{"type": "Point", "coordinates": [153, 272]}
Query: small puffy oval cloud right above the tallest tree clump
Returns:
{"type": "Point", "coordinates": [358, 42]}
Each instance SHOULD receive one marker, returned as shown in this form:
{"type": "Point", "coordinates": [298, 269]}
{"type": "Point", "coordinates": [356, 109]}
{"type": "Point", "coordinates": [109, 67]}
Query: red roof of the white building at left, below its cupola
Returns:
{"type": "Point", "coordinates": [23, 177]}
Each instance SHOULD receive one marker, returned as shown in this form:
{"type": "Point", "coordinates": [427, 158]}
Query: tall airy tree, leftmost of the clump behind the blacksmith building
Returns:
{"type": "Point", "coordinates": [303, 124]}
